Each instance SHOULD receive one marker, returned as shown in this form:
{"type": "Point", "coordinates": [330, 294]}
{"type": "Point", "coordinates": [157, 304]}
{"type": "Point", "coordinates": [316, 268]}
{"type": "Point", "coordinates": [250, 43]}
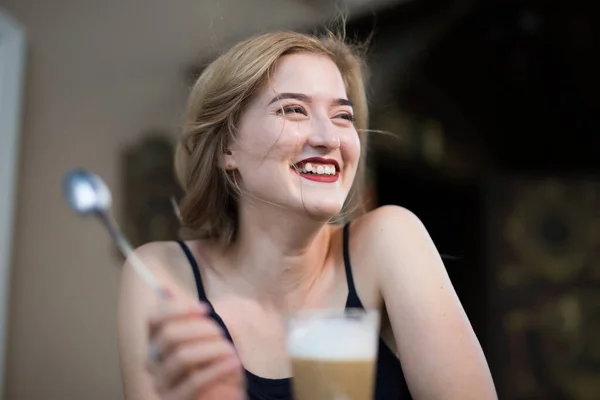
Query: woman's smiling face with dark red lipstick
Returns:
{"type": "Point", "coordinates": [297, 146]}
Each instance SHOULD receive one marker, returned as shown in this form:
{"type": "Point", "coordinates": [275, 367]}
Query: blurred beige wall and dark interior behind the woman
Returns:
{"type": "Point", "coordinates": [492, 110]}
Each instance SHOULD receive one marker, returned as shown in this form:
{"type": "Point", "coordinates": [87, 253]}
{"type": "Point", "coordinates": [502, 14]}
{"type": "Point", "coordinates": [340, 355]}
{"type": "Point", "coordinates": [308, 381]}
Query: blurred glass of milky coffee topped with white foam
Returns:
{"type": "Point", "coordinates": [333, 353]}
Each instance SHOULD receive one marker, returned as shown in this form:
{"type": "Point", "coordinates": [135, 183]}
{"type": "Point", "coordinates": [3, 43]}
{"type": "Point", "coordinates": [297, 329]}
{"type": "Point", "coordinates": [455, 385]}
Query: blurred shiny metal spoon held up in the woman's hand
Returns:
{"type": "Point", "coordinates": [87, 194]}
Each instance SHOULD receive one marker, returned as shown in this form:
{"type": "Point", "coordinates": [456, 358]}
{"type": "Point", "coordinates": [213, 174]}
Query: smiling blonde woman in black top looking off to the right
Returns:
{"type": "Point", "coordinates": [271, 154]}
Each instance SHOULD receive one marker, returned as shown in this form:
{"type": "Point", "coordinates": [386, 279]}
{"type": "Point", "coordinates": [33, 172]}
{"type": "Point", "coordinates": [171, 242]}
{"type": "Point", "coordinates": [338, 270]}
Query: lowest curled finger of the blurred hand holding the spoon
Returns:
{"type": "Point", "coordinates": [200, 379]}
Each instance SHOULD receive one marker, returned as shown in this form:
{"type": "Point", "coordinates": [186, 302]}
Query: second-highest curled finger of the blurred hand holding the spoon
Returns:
{"type": "Point", "coordinates": [178, 332]}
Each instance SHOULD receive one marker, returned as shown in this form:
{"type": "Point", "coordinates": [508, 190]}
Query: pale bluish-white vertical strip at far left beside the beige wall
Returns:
{"type": "Point", "coordinates": [12, 59]}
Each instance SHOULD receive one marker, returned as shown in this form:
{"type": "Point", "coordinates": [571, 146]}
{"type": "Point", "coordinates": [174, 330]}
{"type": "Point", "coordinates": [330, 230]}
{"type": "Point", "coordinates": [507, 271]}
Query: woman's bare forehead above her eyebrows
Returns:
{"type": "Point", "coordinates": [311, 74]}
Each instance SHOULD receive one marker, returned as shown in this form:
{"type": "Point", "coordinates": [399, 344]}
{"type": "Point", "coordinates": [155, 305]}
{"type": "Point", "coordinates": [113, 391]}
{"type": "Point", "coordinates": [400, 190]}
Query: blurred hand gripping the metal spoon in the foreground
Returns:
{"type": "Point", "coordinates": [190, 359]}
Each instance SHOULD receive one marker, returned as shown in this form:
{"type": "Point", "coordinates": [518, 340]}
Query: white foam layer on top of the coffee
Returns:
{"type": "Point", "coordinates": [332, 340]}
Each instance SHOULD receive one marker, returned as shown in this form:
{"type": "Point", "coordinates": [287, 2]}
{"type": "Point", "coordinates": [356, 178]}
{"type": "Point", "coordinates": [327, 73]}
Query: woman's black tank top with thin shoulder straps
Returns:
{"type": "Point", "coordinates": [390, 383]}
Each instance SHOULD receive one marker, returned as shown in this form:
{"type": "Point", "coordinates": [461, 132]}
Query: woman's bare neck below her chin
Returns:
{"type": "Point", "coordinates": [279, 254]}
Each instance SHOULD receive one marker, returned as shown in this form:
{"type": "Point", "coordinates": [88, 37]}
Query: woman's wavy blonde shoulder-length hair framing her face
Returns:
{"type": "Point", "coordinates": [208, 208]}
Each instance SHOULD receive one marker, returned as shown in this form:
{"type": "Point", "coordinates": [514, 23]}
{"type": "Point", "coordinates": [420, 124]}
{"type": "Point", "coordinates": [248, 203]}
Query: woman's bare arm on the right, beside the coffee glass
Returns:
{"type": "Point", "coordinates": [440, 354]}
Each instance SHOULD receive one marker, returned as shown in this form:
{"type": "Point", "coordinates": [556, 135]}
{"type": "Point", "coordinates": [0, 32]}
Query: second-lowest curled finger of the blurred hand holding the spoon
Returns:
{"type": "Point", "coordinates": [198, 355]}
